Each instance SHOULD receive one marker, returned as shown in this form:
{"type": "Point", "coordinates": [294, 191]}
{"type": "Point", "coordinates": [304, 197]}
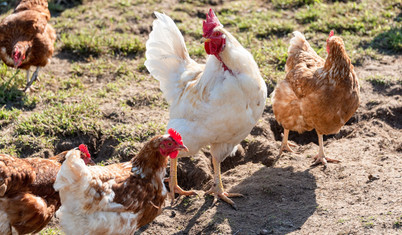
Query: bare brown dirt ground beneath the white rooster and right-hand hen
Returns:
{"type": "Point", "coordinates": [360, 195]}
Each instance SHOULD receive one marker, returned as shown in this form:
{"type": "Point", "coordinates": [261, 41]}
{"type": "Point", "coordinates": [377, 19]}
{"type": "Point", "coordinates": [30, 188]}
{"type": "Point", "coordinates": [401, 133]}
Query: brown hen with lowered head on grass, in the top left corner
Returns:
{"type": "Point", "coordinates": [26, 38]}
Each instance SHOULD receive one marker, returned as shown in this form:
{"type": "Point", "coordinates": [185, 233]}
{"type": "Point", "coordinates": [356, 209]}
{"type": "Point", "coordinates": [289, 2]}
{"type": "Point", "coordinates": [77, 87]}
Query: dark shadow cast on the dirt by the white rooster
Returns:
{"type": "Point", "coordinates": [278, 200]}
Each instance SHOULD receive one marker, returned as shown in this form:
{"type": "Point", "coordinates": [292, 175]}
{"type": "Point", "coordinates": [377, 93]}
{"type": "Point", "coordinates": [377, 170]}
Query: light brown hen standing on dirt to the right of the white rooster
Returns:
{"type": "Point", "coordinates": [316, 93]}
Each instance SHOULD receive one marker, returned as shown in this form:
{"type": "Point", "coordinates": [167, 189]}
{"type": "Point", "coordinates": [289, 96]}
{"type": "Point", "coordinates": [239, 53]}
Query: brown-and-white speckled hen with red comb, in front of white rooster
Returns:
{"type": "Point", "coordinates": [118, 198]}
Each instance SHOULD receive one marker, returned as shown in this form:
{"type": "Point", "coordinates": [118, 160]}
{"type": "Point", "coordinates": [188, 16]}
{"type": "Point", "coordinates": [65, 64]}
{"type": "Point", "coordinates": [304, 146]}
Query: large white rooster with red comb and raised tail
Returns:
{"type": "Point", "coordinates": [217, 103]}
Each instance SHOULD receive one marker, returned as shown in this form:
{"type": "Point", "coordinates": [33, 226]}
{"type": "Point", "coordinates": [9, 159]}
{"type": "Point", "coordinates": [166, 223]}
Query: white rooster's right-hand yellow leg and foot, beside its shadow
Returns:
{"type": "Point", "coordinates": [217, 189]}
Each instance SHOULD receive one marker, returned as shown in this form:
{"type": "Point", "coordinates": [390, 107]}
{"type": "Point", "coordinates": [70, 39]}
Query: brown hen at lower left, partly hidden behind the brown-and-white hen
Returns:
{"type": "Point", "coordinates": [27, 197]}
